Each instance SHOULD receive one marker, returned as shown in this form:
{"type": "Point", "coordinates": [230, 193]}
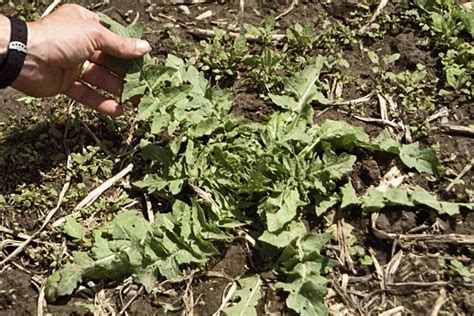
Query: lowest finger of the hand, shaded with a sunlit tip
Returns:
{"type": "Point", "coordinates": [87, 96]}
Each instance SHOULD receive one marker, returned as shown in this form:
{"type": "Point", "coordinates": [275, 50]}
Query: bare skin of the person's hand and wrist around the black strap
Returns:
{"type": "Point", "coordinates": [59, 44]}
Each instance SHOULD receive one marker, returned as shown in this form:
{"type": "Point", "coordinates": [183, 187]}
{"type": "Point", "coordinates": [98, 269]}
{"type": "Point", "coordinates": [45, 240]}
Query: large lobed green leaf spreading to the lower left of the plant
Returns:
{"type": "Point", "coordinates": [129, 245]}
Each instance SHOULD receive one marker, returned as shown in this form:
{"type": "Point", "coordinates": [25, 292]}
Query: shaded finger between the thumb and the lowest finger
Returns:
{"type": "Point", "coordinates": [103, 79]}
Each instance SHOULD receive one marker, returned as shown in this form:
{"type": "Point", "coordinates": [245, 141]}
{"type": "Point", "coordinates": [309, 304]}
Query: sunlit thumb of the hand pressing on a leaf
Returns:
{"type": "Point", "coordinates": [122, 47]}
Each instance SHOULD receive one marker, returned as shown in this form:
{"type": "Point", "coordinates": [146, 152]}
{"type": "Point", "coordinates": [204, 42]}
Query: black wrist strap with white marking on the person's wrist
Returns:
{"type": "Point", "coordinates": [16, 53]}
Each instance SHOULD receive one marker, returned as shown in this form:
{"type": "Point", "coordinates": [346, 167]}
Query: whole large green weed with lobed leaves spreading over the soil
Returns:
{"type": "Point", "coordinates": [225, 176]}
